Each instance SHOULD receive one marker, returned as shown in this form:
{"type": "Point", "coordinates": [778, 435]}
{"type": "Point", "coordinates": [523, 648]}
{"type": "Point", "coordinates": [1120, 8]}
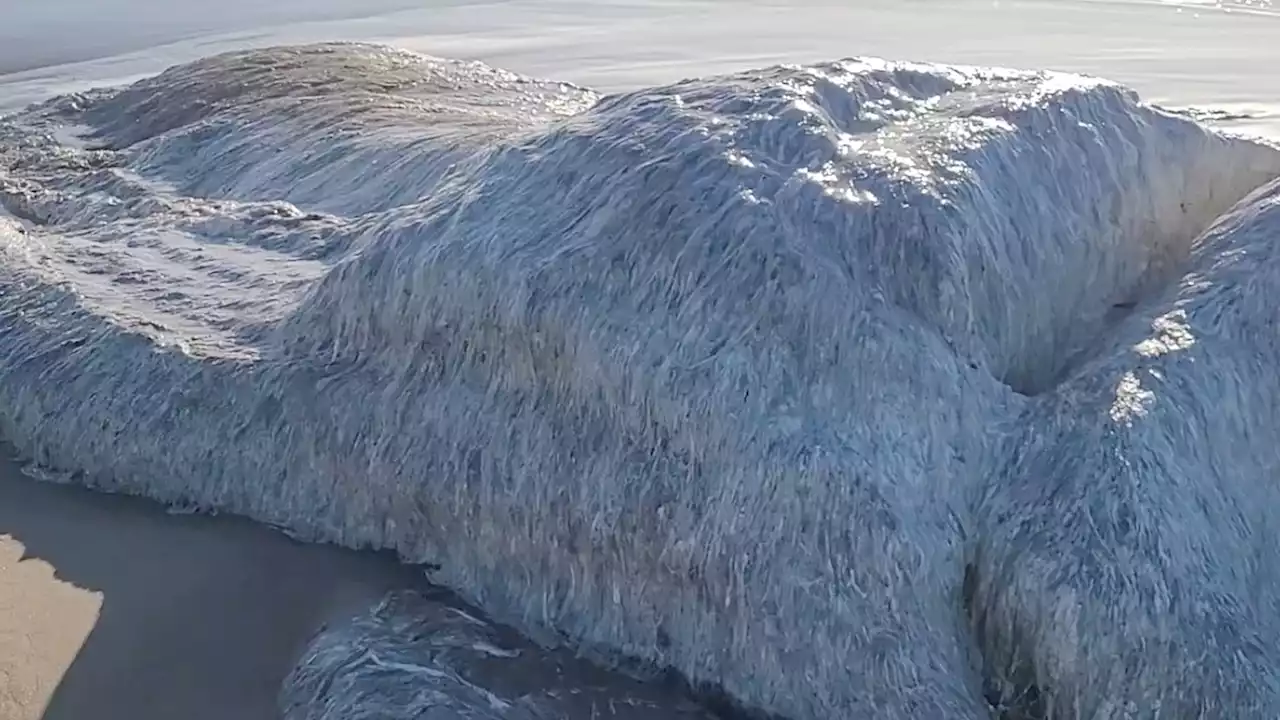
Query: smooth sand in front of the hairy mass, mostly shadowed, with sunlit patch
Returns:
{"type": "Point", "coordinates": [116, 610]}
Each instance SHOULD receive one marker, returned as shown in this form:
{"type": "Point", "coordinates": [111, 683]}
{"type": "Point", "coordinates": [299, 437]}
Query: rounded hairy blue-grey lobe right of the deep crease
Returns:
{"type": "Point", "coordinates": [1127, 560]}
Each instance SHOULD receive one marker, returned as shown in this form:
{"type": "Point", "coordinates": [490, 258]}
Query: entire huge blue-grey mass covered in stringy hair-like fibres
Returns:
{"type": "Point", "coordinates": [862, 390]}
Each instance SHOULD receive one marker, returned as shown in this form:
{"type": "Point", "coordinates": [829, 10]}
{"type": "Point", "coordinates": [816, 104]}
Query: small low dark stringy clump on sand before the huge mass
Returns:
{"type": "Point", "coordinates": [373, 667]}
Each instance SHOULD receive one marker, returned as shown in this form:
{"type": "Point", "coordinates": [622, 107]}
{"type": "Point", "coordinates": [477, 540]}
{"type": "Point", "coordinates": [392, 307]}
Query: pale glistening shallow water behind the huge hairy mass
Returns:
{"type": "Point", "coordinates": [1217, 56]}
